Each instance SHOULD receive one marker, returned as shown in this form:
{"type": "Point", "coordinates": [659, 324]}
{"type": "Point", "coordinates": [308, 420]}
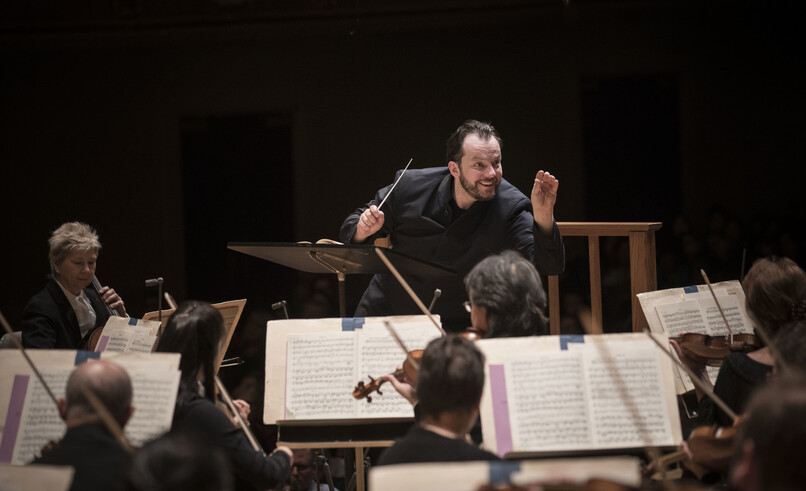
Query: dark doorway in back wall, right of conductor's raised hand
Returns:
{"type": "Point", "coordinates": [631, 148]}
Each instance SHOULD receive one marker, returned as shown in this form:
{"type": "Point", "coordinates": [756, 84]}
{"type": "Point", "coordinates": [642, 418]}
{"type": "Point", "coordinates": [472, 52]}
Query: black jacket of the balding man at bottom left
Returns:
{"type": "Point", "coordinates": [99, 460]}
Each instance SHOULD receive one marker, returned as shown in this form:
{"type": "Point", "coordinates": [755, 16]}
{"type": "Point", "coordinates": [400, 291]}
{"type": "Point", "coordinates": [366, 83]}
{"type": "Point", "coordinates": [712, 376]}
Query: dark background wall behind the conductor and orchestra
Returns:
{"type": "Point", "coordinates": [175, 131]}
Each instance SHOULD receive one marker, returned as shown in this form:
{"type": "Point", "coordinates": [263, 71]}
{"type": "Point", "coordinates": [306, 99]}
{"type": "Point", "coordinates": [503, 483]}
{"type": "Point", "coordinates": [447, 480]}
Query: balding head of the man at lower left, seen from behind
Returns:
{"type": "Point", "coordinates": [111, 385]}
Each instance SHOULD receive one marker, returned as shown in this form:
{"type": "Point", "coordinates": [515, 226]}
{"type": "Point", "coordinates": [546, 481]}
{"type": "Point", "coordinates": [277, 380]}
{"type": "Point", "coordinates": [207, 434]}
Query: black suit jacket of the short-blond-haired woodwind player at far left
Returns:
{"type": "Point", "coordinates": [49, 321]}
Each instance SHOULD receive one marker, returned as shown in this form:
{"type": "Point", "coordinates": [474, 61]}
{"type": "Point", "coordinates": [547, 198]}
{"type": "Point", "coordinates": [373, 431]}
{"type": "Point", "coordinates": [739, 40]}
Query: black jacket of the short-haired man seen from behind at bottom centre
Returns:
{"type": "Point", "coordinates": [422, 445]}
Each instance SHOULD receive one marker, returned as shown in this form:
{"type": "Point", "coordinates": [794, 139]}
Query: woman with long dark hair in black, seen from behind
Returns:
{"type": "Point", "coordinates": [196, 330]}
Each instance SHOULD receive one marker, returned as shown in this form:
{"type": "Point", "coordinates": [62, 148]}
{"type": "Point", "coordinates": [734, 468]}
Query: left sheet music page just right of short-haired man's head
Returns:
{"type": "Point", "coordinates": [548, 403]}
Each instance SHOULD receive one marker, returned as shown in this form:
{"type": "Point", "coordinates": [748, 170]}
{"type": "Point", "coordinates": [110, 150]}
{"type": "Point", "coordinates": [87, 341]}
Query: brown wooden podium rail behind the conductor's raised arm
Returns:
{"type": "Point", "coordinates": [643, 268]}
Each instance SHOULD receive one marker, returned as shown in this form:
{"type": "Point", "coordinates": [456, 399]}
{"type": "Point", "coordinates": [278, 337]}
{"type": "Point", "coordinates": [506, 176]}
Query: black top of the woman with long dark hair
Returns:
{"type": "Point", "coordinates": [251, 469]}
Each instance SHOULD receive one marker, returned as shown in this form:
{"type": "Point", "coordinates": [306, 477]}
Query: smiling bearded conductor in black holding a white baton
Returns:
{"type": "Point", "coordinates": [456, 216]}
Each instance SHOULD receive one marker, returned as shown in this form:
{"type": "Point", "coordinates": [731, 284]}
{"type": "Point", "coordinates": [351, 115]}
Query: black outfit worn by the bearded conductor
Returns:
{"type": "Point", "coordinates": [422, 220]}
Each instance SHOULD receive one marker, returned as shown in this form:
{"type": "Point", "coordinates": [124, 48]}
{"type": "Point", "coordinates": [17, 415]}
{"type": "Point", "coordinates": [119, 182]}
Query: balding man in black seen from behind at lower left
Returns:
{"type": "Point", "coordinates": [99, 460]}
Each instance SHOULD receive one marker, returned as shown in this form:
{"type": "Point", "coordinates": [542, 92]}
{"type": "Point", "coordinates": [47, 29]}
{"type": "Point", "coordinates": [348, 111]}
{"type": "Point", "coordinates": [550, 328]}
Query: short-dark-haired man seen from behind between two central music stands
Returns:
{"type": "Point", "coordinates": [449, 385]}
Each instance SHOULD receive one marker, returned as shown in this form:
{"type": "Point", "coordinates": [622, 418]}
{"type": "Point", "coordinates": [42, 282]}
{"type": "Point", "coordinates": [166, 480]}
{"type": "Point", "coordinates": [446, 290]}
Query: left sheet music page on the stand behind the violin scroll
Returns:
{"type": "Point", "coordinates": [320, 375]}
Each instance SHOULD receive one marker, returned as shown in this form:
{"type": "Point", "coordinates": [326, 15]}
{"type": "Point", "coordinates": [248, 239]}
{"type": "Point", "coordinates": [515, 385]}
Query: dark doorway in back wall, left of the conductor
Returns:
{"type": "Point", "coordinates": [238, 178]}
